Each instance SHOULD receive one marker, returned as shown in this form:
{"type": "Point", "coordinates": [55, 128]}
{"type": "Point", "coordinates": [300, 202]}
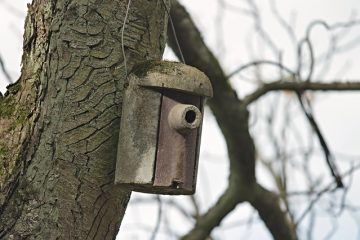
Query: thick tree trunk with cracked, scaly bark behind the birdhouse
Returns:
{"type": "Point", "coordinates": [59, 123]}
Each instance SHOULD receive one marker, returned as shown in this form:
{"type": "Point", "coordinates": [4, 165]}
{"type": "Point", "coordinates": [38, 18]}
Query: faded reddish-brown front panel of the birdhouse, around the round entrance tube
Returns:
{"type": "Point", "coordinates": [177, 153]}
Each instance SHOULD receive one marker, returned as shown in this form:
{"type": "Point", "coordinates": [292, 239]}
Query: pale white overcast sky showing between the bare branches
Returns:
{"type": "Point", "coordinates": [337, 113]}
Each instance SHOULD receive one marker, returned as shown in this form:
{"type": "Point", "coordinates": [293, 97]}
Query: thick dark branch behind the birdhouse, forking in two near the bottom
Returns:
{"type": "Point", "coordinates": [232, 117]}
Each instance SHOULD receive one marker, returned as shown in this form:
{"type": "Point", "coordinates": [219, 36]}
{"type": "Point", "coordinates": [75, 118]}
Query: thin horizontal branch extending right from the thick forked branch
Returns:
{"type": "Point", "coordinates": [300, 86]}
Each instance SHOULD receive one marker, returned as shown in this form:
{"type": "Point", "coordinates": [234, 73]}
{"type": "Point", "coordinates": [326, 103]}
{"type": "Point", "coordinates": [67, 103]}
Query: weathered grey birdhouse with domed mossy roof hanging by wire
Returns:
{"type": "Point", "coordinates": [160, 128]}
